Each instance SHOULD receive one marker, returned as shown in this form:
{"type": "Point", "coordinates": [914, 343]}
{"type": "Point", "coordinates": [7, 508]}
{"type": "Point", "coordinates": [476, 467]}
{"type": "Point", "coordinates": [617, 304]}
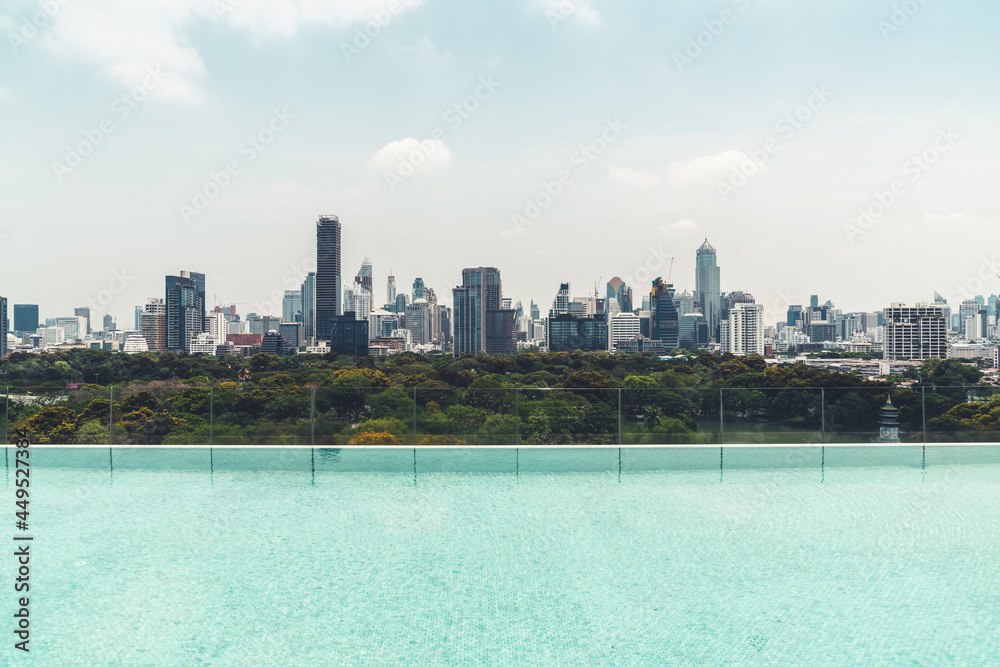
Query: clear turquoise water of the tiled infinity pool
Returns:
{"type": "Point", "coordinates": [842, 556]}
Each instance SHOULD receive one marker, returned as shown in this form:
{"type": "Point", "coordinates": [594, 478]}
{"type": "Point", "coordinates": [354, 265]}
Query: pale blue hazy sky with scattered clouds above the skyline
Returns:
{"type": "Point", "coordinates": [847, 149]}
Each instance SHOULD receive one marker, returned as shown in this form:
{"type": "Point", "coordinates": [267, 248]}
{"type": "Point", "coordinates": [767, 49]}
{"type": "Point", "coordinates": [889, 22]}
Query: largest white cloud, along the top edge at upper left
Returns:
{"type": "Point", "coordinates": [123, 37]}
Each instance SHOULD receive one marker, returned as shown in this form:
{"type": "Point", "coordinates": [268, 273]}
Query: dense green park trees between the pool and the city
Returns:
{"type": "Point", "coordinates": [530, 398]}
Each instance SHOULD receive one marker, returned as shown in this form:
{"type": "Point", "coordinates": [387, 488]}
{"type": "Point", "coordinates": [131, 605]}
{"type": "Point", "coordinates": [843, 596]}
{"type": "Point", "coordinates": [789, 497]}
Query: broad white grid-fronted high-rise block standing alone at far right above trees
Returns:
{"type": "Point", "coordinates": [914, 333]}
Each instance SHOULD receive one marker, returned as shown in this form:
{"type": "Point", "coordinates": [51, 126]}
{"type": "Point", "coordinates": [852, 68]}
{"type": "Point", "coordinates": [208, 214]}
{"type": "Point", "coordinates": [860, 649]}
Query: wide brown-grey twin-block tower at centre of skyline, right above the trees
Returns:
{"type": "Point", "coordinates": [480, 324]}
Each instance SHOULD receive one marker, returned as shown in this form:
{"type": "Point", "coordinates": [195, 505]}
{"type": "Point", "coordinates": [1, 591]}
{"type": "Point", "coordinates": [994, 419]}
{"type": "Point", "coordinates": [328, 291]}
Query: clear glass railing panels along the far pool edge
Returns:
{"type": "Point", "coordinates": [251, 414]}
